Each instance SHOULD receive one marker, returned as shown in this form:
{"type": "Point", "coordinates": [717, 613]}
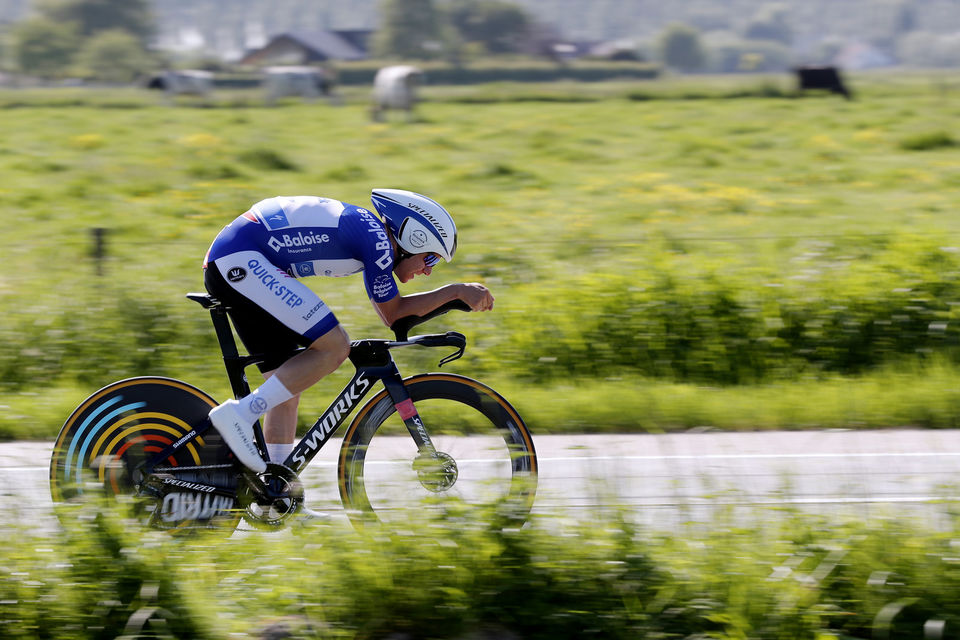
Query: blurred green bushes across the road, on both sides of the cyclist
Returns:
{"type": "Point", "coordinates": [669, 323]}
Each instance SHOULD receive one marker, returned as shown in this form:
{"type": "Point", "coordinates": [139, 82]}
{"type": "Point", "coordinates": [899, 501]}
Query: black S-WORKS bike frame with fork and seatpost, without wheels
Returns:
{"type": "Point", "coordinates": [373, 362]}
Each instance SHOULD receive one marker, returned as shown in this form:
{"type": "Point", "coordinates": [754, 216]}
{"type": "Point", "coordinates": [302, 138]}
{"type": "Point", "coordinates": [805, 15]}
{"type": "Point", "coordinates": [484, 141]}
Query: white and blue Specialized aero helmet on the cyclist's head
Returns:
{"type": "Point", "coordinates": [419, 224]}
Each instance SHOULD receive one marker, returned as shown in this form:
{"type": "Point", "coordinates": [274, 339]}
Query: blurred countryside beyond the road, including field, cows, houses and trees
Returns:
{"type": "Point", "coordinates": [731, 214]}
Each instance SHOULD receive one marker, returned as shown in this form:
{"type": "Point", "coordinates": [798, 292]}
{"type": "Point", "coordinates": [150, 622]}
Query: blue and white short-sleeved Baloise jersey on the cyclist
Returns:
{"type": "Point", "coordinates": [310, 236]}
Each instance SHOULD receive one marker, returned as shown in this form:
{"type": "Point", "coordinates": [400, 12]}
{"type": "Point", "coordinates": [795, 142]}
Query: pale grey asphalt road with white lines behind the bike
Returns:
{"type": "Point", "coordinates": [660, 480]}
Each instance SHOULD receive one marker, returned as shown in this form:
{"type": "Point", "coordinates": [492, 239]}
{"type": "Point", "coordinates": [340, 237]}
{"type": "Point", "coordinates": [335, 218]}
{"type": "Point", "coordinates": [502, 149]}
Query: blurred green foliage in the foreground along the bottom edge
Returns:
{"type": "Point", "coordinates": [762, 575]}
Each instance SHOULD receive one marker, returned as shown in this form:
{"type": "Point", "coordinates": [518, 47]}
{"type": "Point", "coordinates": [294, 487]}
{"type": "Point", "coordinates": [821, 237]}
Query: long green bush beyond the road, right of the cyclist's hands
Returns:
{"type": "Point", "coordinates": [725, 328]}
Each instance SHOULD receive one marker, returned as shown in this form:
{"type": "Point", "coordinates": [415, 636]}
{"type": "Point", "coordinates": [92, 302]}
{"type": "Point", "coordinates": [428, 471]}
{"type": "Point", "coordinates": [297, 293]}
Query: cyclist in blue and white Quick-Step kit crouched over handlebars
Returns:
{"type": "Point", "coordinates": [253, 267]}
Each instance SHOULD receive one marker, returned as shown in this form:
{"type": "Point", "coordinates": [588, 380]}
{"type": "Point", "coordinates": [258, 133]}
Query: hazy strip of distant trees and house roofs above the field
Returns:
{"type": "Point", "coordinates": [719, 36]}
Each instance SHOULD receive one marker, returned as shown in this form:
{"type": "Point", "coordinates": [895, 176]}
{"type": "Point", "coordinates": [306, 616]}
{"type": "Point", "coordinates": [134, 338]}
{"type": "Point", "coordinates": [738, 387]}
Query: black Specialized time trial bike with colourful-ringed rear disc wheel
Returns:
{"type": "Point", "coordinates": [419, 440]}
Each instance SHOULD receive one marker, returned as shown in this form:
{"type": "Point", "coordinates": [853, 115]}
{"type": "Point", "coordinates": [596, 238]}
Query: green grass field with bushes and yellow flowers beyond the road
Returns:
{"type": "Point", "coordinates": [663, 254]}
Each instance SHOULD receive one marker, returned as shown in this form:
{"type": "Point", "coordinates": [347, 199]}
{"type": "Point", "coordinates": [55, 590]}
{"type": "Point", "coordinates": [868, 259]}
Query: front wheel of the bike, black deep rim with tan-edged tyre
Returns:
{"type": "Point", "coordinates": [484, 452]}
